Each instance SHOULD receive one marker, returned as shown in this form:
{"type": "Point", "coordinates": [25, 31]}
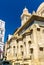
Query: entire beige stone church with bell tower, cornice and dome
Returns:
{"type": "Point", "coordinates": [26, 46]}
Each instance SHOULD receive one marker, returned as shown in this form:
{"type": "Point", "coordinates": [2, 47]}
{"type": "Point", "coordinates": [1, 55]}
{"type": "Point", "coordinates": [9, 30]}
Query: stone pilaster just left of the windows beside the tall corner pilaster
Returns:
{"type": "Point", "coordinates": [26, 45]}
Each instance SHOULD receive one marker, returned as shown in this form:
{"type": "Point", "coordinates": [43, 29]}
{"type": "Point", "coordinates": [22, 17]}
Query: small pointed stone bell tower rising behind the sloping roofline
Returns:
{"type": "Point", "coordinates": [25, 16]}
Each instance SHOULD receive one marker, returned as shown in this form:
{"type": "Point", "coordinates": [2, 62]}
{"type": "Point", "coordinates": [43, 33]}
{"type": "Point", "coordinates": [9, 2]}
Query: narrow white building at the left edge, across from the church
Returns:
{"type": "Point", "coordinates": [2, 33]}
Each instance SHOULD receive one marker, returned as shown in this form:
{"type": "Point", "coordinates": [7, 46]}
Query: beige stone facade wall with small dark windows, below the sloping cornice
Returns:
{"type": "Point", "coordinates": [20, 52]}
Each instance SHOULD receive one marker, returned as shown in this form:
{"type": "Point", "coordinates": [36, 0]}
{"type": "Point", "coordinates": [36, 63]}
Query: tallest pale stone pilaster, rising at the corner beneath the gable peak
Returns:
{"type": "Point", "coordinates": [35, 48]}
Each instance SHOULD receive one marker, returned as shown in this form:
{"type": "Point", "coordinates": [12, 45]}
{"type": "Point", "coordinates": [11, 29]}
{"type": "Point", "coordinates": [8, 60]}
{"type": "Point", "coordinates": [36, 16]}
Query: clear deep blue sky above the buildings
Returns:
{"type": "Point", "coordinates": [10, 11]}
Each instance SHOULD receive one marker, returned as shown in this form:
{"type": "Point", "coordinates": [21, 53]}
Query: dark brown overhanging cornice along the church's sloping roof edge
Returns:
{"type": "Point", "coordinates": [32, 18]}
